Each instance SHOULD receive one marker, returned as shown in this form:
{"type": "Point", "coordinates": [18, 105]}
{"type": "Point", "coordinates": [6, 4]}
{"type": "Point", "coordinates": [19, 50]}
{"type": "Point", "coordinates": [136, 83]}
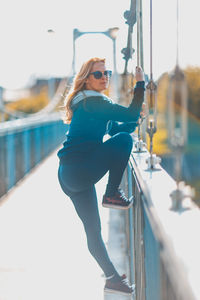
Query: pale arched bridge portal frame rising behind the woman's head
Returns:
{"type": "Point", "coordinates": [111, 33]}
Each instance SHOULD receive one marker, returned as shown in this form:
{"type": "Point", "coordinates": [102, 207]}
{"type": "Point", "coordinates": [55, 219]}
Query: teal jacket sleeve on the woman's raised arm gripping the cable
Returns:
{"type": "Point", "coordinates": [105, 110]}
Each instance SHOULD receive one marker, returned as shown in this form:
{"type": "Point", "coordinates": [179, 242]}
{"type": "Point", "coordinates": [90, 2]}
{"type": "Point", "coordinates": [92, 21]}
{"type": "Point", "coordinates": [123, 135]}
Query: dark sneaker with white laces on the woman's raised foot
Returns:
{"type": "Point", "coordinates": [119, 200]}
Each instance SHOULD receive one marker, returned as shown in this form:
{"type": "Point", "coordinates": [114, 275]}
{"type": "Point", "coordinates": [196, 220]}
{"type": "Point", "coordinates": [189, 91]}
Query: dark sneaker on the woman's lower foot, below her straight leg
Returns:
{"type": "Point", "coordinates": [119, 287]}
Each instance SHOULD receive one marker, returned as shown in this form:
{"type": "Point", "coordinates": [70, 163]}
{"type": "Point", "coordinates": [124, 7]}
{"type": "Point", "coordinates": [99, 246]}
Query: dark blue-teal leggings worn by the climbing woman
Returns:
{"type": "Point", "coordinates": [77, 181]}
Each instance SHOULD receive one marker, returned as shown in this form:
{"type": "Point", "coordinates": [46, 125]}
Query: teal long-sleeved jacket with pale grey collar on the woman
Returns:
{"type": "Point", "coordinates": [94, 115]}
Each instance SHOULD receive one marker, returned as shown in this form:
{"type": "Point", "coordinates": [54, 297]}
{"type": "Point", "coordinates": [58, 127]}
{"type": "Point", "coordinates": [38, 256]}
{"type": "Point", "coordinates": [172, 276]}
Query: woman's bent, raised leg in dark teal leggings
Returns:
{"type": "Point", "coordinates": [112, 156]}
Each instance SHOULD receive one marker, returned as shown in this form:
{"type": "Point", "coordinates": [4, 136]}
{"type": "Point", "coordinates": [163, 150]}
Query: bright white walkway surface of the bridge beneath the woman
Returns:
{"type": "Point", "coordinates": [43, 253]}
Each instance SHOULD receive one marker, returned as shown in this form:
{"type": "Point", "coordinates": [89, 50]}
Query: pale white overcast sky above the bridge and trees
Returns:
{"type": "Point", "coordinates": [28, 51]}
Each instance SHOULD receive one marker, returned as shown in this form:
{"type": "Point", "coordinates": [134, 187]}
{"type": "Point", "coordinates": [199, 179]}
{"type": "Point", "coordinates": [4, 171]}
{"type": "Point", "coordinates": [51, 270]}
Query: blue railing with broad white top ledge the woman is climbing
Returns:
{"type": "Point", "coordinates": [163, 244]}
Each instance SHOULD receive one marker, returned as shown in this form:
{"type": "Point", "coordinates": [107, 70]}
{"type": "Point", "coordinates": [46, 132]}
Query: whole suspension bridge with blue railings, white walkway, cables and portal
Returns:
{"type": "Point", "coordinates": [43, 252]}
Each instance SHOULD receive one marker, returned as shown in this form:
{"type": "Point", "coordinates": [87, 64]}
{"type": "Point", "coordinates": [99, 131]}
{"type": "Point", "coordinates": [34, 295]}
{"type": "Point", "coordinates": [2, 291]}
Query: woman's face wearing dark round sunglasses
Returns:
{"type": "Point", "coordinates": [97, 84]}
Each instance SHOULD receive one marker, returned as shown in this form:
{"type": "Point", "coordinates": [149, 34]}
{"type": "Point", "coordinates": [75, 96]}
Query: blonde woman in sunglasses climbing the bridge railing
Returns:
{"type": "Point", "coordinates": [85, 158]}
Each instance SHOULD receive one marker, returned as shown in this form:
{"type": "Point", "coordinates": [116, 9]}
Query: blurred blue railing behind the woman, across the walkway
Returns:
{"type": "Point", "coordinates": [24, 143]}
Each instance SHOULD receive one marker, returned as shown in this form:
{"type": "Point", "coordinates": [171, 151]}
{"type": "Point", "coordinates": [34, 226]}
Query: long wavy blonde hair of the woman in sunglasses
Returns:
{"type": "Point", "coordinates": [78, 85]}
